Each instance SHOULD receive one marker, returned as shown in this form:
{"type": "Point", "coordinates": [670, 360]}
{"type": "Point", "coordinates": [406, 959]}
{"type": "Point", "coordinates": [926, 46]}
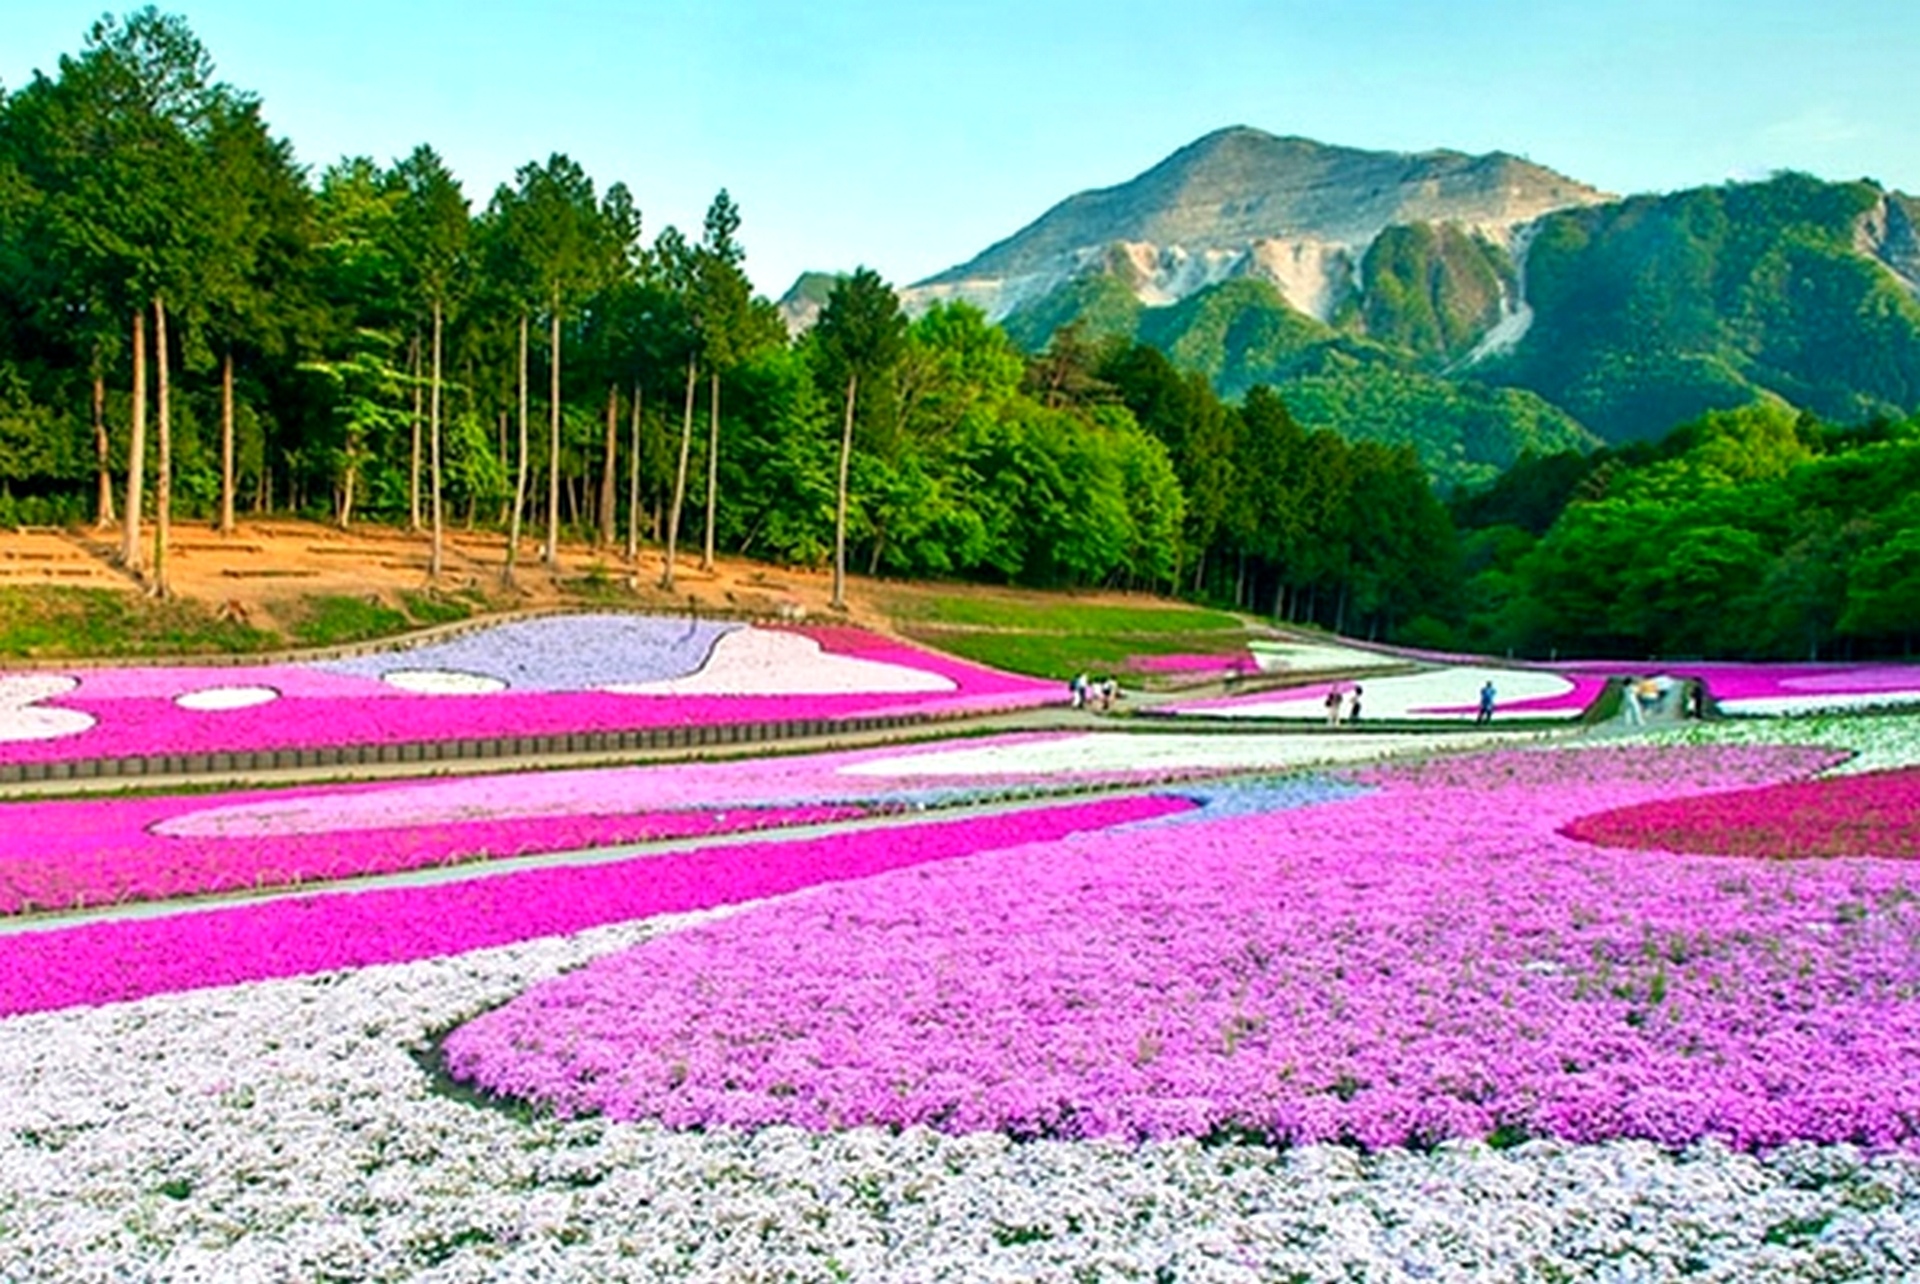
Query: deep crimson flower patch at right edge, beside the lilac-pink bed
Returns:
{"type": "Point", "coordinates": [1875, 815]}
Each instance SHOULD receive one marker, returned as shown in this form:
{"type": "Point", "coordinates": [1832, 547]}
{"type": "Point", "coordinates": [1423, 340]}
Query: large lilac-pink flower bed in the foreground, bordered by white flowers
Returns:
{"type": "Point", "coordinates": [1429, 961]}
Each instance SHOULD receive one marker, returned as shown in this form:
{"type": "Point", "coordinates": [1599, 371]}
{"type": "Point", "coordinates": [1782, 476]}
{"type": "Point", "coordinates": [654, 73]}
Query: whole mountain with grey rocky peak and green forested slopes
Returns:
{"type": "Point", "coordinates": [1476, 306]}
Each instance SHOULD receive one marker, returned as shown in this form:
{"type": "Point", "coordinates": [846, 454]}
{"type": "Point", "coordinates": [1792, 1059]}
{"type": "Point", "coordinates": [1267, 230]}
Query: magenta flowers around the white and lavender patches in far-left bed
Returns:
{"type": "Point", "coordinates": [135, 726]}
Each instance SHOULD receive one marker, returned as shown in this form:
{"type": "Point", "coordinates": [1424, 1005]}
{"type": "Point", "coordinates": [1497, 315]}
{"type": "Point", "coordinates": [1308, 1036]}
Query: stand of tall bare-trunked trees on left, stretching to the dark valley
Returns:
{"type": "Point", "coordinates": [197, 329]}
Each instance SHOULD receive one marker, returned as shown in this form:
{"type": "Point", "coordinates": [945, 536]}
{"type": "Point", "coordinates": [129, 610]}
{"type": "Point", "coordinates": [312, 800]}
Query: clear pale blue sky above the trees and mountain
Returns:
{"type": "Point", "coordinates": [911, 135]}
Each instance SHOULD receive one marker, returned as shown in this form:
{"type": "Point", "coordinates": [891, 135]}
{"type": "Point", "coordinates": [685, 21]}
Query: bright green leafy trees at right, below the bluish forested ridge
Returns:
{"type": "Point", "coordinates": [1756, 533]}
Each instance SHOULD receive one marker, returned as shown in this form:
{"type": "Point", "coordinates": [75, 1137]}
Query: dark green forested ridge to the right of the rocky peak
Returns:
{"type": "Point", "coordinates": [1660, 308]}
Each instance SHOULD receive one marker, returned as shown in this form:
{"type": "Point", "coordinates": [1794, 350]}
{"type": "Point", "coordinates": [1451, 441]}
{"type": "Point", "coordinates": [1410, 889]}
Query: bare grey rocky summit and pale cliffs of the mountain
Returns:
{"type": "Point", "coordinates": [1249, 204]}
